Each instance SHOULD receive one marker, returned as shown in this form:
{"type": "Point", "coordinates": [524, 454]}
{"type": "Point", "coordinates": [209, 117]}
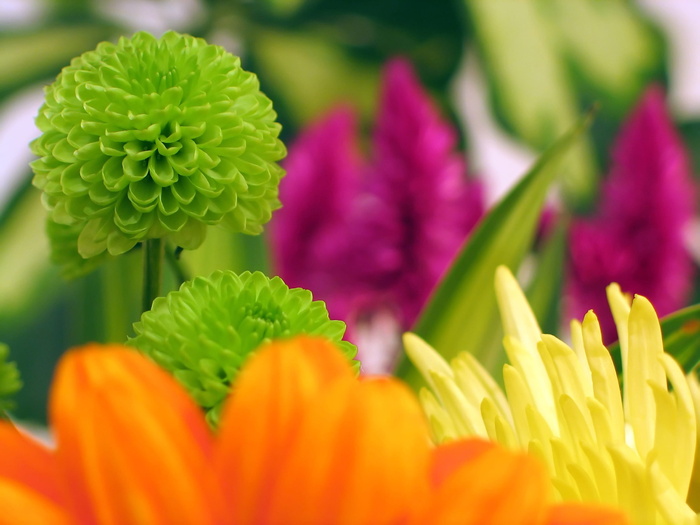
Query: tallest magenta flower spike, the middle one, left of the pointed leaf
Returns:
{"type": "Point", "coordinates": [418, 206]}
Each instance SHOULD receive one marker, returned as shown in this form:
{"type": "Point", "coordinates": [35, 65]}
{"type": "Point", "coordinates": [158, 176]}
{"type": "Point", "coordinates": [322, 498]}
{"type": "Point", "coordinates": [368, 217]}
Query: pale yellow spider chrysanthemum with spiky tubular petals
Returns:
{"type": "Point", "coordinates": [635, 451]}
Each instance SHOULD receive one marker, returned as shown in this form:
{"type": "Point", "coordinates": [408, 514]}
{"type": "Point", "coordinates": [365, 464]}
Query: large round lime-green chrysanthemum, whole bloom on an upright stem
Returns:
{"type": "Point", "coordinates": [149, 138]}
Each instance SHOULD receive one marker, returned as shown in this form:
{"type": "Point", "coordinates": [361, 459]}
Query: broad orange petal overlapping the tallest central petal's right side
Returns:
{"type": "Point", "coordinates": [361, 456]}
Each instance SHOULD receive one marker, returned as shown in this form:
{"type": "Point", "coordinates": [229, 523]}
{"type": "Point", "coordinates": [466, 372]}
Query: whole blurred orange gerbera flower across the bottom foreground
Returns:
{"type": "Point", "coordinates": [301, 441]}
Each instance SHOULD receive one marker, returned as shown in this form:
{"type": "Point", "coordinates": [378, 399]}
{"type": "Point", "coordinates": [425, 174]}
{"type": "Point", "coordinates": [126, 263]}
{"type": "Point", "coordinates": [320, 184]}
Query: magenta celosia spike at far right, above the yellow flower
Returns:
{"type": "Point", "coordinates": [637, 237]}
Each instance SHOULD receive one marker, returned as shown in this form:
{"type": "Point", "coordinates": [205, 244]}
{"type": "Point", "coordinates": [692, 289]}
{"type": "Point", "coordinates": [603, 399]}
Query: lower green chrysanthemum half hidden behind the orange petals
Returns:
{"type": "Point", "coordinates": [203, 332]}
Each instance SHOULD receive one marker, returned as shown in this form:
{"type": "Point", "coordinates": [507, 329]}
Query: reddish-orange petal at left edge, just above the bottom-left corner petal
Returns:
{"type": "Point", "coordinates": [28, 463]}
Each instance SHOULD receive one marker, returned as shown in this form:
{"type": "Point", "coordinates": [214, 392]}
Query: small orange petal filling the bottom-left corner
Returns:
{"type": "Point", "coordinates": [21, 504]}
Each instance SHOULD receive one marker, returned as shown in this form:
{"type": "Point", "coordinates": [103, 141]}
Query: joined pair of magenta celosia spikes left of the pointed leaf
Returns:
{"type": "Point", "coordinates": [375, 237]}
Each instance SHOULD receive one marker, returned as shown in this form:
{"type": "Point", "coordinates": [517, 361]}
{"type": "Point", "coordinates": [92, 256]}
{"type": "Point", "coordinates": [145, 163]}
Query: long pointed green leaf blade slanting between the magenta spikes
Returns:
{"type": "Point", "coordinates": [462, 314]}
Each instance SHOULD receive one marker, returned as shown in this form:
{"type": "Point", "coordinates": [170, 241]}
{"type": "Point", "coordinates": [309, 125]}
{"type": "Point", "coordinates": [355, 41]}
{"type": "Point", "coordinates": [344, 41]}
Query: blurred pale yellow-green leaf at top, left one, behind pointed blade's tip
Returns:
{"type": "Point", "coordinates": [531, 87]}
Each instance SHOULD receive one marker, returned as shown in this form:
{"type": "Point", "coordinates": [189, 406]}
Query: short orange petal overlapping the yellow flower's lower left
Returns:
{"type": "Point", "coordinates": [492, 486]}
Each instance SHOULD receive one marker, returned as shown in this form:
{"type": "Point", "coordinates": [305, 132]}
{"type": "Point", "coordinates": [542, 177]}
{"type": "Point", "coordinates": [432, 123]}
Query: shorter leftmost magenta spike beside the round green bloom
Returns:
{"type": "Point", "coordinates": [323, 169]}
